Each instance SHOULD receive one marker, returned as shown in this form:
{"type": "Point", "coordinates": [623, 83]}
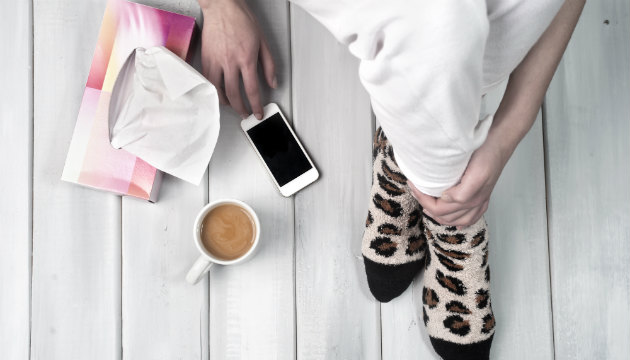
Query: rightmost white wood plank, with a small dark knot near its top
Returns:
{"type": "Point", "coordinates": [587, 126]}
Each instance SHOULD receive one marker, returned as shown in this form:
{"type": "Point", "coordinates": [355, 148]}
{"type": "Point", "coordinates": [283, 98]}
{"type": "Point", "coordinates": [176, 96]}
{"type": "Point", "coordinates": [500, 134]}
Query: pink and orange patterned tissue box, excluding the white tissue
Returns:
{"type": "Point", "coordinates": [91, 160]}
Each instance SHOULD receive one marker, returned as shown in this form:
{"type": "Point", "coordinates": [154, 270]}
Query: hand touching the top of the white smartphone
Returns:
{"type": "Point", "coordinates": [232, 43]}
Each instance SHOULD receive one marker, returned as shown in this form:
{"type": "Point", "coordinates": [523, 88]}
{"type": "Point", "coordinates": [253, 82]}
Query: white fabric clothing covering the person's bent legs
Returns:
{"type": "Point", "coordinates": [426, 66]}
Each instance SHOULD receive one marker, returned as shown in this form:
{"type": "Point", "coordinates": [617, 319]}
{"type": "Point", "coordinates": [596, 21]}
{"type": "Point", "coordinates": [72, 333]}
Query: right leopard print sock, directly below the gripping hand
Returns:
{"type": "Point", "coordinates": [457, 311]}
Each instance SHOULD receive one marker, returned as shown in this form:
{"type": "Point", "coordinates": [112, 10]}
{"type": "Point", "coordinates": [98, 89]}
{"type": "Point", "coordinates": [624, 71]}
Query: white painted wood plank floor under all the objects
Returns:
{"type": "Point", "coordinates": [88, 275]}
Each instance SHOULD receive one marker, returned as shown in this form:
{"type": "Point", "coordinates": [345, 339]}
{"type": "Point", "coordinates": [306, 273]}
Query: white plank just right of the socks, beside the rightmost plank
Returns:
{"type": "Point", "coordinates": [519, 257]}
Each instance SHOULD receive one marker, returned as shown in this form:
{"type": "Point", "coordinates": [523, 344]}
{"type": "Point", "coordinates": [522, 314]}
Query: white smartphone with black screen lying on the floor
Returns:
{"type": "Point", "coordinates": [280, 150]}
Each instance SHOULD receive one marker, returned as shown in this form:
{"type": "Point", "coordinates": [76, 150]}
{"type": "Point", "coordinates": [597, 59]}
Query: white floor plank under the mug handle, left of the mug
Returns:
{"type": "Point", "coordinates": [163, 317]}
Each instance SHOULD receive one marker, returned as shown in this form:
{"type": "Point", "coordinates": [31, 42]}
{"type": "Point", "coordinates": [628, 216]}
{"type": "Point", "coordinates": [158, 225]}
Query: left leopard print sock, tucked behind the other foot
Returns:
{"type": "Point", "coordinates": [393, 244]}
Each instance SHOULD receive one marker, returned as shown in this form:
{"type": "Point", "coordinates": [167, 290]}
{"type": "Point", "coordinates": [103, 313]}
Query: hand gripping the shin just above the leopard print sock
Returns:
{"type": "Point", "coordinates": [465, 203]}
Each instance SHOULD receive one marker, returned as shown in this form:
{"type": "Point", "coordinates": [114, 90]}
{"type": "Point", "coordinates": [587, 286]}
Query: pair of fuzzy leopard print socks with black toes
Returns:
{"type": "Point", "coordinates": [400, 240]}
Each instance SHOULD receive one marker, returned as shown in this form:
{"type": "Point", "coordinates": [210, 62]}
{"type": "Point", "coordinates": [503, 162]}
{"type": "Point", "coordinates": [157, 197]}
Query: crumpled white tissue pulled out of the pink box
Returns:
{"type": "Point", "coordinates": [164, 112]}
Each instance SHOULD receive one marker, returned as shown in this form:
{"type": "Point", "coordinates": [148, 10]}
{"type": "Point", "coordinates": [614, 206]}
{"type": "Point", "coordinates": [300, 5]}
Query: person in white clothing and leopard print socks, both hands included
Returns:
{"type": "Point", "coordinates": [426, 66]}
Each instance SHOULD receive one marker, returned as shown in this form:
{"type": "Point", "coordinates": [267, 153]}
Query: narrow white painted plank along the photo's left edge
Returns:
{"type": "Point", "coordinates": [16, 121]}
